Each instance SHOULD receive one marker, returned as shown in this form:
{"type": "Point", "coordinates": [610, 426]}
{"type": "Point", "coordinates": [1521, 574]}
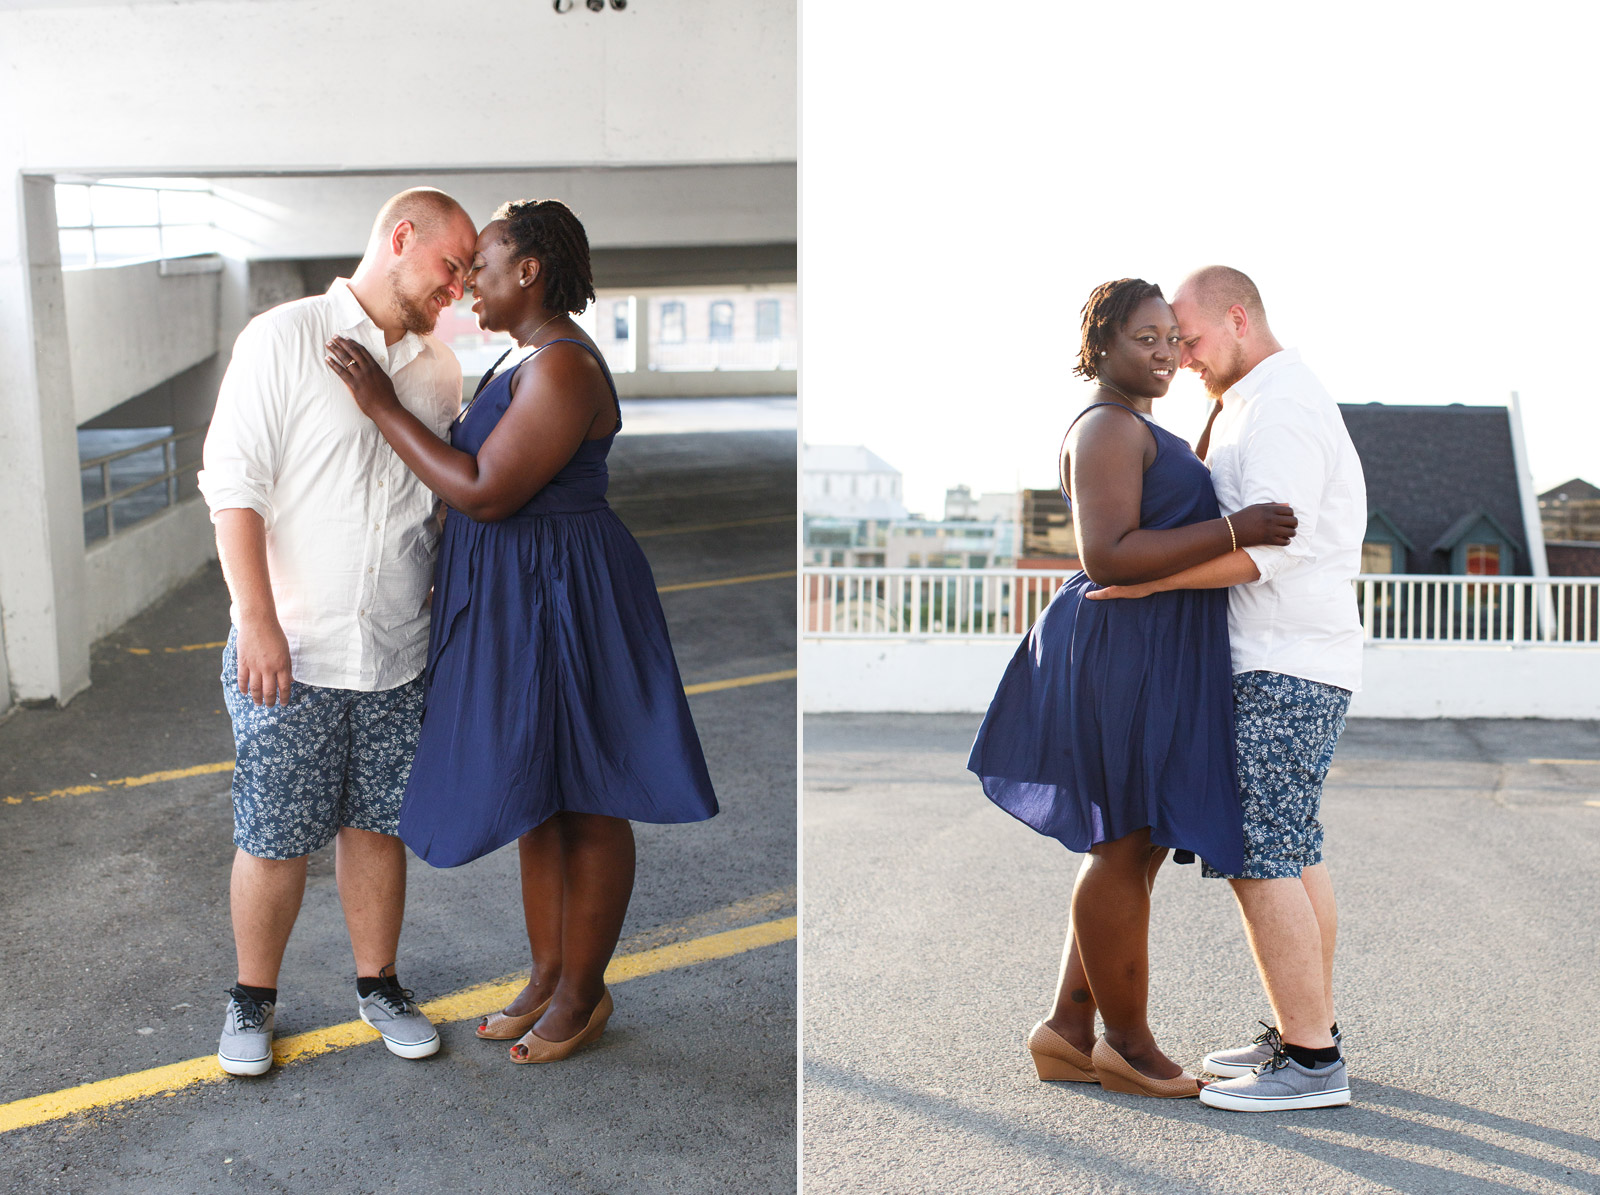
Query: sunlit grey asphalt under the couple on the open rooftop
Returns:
{"type": "Point", "coordinates": [1466, 858]}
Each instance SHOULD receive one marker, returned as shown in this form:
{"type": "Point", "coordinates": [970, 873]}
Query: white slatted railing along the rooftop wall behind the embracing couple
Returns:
{"type": "Point", "coordinates": [1004, 602]}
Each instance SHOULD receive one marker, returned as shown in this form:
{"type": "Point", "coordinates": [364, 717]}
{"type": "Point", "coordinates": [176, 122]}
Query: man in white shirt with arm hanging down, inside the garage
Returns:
{"type": "Point", "coordinates": [327, 543]}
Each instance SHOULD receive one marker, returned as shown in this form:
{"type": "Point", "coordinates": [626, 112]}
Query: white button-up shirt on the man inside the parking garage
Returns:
{"type": "Point", "coordinates": [351, 532]}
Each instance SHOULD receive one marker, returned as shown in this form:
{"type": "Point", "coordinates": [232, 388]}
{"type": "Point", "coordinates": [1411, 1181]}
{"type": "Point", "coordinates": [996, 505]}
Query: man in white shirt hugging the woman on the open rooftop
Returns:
{"type": "Point", "coordinates": [1297, 645]}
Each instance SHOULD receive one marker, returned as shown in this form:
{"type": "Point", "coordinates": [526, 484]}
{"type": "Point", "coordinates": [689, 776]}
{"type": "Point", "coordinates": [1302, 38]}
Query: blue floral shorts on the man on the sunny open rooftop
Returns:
{"type": "Point", "coordinates": [1286, 730]}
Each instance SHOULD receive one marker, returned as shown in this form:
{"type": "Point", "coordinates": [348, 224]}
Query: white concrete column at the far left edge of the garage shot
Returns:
{"type": "Point", "coordinates": [42, 577]}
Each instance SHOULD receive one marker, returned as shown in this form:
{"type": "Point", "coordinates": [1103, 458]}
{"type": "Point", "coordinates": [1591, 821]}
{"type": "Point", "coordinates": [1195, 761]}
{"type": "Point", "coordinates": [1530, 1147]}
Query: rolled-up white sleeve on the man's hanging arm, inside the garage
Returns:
{"type": "Point", "coordinates": [244, 442]}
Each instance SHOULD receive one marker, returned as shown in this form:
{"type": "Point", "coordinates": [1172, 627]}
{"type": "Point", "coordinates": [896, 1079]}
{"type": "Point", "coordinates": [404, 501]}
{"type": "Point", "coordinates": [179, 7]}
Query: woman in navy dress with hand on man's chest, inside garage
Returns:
{"type": "Point", "coordinates": [554, 711]}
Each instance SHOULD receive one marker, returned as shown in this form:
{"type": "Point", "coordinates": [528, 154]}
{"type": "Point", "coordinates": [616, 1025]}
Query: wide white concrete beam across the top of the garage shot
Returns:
{"type": "Point", "coordinates": [281, 86]}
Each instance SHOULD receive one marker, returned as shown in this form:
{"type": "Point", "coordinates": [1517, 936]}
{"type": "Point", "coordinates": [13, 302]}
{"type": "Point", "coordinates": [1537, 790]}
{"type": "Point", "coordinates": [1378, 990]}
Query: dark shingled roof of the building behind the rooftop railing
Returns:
{"type": "Point", "coordinates": [1428, 468]}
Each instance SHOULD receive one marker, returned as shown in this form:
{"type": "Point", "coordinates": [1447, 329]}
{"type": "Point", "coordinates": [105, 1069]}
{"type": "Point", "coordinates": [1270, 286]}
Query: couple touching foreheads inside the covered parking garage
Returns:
{"type": "Point", "coordinates": [522, 690]}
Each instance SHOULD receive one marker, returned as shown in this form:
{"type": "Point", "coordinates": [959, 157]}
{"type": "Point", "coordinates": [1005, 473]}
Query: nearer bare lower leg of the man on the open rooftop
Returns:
{"type": "Point", "coordinates": [1287, 941]}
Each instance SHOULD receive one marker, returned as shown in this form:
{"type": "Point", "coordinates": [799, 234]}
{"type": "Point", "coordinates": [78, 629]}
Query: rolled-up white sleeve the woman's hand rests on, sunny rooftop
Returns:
{"type": "Point", "coordinates": [1286, 462]}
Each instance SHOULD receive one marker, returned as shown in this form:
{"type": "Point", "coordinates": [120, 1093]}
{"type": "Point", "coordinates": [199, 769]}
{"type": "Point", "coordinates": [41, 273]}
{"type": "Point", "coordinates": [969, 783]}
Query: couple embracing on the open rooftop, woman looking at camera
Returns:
{"type": "Point", "coordinates": [1186, 690]}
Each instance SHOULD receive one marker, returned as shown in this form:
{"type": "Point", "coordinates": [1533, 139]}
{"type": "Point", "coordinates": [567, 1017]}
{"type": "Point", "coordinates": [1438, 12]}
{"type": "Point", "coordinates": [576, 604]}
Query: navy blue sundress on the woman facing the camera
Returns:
{"type": "Point", "coordinates": [1116, 716]}
